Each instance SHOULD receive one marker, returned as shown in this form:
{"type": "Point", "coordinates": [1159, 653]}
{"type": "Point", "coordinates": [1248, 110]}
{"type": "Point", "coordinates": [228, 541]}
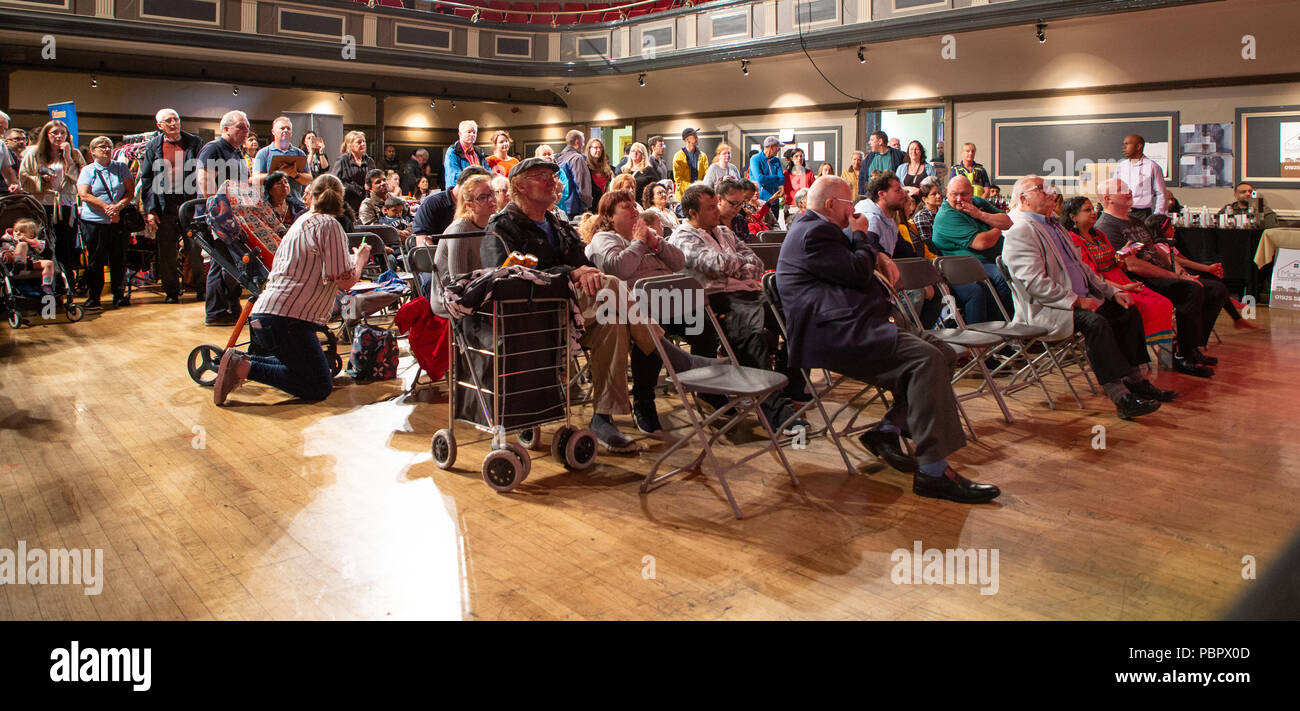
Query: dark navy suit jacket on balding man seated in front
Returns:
{"type": "Point", "coordinates": [837, 311]}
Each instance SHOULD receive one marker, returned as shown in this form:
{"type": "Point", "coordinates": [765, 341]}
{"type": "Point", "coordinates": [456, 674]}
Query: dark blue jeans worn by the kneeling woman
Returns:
{"type": "Point", "coordinates": [297, 365]}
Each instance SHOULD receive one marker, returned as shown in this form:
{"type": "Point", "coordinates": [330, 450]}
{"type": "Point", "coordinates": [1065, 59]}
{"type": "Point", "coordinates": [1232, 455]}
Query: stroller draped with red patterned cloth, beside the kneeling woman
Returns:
{"type": "Point", "coordinates": [241, 235]}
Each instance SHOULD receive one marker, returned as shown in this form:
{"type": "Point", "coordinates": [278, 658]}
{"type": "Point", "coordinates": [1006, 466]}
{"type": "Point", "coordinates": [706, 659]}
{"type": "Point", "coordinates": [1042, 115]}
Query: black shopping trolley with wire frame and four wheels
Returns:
{"type": "Point", "coordinates": [509, 375]}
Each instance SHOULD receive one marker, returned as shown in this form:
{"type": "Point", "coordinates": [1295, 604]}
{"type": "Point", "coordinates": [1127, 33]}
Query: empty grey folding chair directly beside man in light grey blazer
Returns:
{"type": "Point", "coordinates": [965, 270]}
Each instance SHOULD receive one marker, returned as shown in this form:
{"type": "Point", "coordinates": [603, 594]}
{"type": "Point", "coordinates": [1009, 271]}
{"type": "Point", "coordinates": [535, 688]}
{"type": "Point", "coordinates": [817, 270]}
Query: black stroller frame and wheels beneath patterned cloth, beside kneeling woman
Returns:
{"type": "Point", "coordinates": [249, 268]}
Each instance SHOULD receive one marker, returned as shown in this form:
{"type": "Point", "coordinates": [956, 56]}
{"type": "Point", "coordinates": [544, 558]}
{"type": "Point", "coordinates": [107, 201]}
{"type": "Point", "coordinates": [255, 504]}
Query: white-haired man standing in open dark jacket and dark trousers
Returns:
{"type": "Point", "coordinates": [167, 181]}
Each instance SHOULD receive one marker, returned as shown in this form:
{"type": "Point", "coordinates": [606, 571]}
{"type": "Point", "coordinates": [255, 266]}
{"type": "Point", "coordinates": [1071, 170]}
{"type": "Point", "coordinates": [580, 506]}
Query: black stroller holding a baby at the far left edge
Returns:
{"type": "Point", "coordinates": [23, 289]}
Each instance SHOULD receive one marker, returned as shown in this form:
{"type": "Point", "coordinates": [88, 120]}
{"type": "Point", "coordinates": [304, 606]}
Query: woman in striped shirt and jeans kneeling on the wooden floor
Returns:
{"type": "Point", "coordinates": [311, 268]}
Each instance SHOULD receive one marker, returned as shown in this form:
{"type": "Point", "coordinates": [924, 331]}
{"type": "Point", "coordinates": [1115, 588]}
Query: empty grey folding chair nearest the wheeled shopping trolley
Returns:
{"type": "Point", "coordinates": [744, 388]}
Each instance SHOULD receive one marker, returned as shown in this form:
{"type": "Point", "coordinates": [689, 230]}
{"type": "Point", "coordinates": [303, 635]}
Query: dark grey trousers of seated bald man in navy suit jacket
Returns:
{"type": "Point", "coordinates": [918, 375]}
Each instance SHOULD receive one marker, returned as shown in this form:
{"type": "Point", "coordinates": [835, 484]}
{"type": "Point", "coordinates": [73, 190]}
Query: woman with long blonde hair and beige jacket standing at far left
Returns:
{"type": "Point", "coordinates": [49, 171]}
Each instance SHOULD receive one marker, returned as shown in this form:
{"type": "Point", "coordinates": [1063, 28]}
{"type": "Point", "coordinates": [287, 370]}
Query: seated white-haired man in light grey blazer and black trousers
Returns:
{"type": "Point", "coordinates": [1067, 296]}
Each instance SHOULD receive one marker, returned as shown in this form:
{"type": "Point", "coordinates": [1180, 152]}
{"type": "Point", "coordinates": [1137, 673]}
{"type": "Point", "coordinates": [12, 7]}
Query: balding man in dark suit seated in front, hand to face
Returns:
{"type": "Point", "coordinates": [839, 318]}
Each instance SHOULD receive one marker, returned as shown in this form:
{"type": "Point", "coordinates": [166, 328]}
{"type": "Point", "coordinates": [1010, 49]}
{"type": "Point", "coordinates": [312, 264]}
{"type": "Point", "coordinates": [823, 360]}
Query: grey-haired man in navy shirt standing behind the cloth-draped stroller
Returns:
{"type": "Point", "coordinates": [219, 162]}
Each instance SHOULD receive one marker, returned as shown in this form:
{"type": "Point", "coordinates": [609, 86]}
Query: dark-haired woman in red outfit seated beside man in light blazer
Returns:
{"type": "Point", "coordinates": [1158, 314]}
